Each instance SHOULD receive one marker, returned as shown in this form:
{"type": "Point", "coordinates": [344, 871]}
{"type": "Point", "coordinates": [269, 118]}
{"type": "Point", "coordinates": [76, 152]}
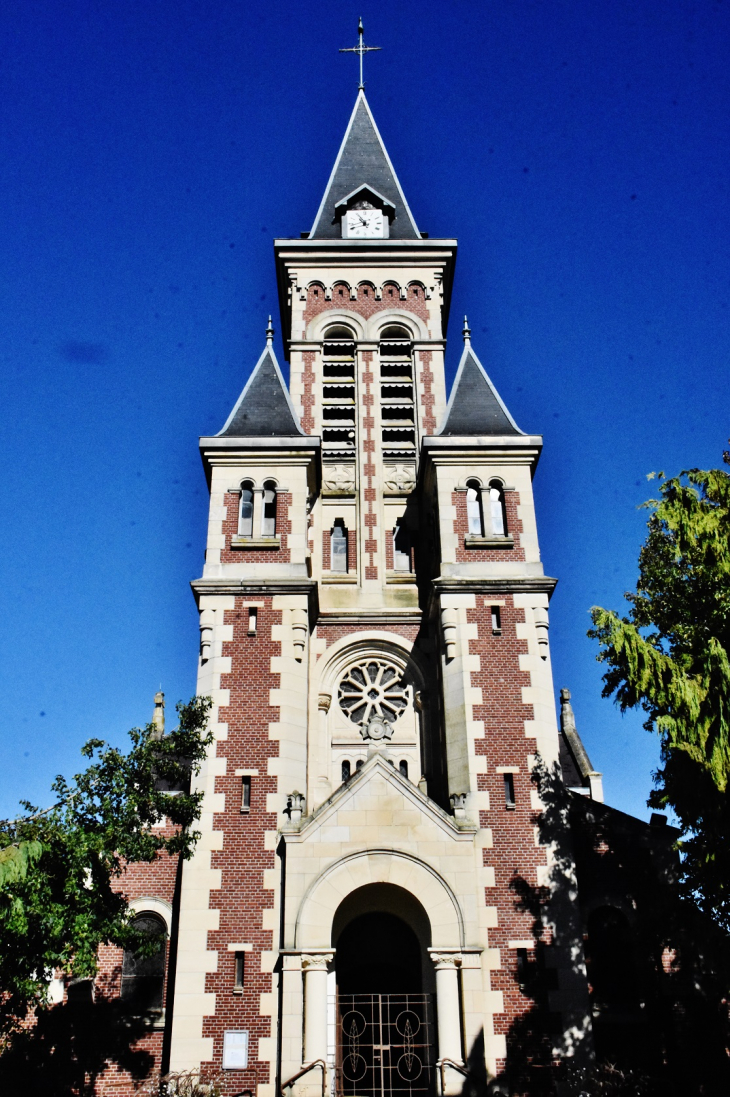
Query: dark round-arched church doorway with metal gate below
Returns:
{"type": "Point", "coordinates": [383, 1017]}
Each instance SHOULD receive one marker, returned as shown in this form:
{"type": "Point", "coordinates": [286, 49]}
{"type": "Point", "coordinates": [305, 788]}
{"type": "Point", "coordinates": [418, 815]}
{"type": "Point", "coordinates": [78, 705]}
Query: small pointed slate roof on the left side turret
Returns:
{"type": "Point", "coordinates": [264, 410]}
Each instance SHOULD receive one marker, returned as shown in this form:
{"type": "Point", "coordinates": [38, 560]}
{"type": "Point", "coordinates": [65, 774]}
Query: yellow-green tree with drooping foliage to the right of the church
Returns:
{"type": "Point", "coordinates": [670, 657]}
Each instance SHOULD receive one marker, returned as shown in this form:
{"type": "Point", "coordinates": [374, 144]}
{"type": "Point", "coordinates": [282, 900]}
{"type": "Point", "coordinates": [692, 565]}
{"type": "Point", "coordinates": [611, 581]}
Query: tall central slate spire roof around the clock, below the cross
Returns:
{"type": "Point", "coordinates": [363, 161]}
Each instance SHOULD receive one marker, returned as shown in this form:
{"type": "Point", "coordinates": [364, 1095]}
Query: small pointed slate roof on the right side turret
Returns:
{"type": "Point", "coordinates": [475, 406]}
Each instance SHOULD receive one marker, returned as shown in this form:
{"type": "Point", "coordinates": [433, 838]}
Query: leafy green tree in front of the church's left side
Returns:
{"type": "Point", "coordinates": [60, 868]}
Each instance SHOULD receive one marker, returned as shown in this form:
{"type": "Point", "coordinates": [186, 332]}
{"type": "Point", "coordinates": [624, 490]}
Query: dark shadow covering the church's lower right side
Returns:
{"type": "Point", "coordinates": [655, 1005]}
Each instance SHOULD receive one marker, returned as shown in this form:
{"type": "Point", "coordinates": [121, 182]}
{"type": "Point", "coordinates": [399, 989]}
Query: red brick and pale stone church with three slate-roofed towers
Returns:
{"type": "Point", "coordinates": [388, 897]}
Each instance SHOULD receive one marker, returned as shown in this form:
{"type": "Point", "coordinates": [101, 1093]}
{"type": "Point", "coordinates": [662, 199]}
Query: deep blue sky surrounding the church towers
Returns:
{"type": "Point", "coordinates": [149, 155]}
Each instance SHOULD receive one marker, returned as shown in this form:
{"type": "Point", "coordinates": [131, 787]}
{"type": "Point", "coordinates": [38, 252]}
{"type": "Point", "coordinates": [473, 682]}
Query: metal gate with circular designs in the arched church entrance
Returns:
{"type": "Point", "coordinates": [385, 1046]}
